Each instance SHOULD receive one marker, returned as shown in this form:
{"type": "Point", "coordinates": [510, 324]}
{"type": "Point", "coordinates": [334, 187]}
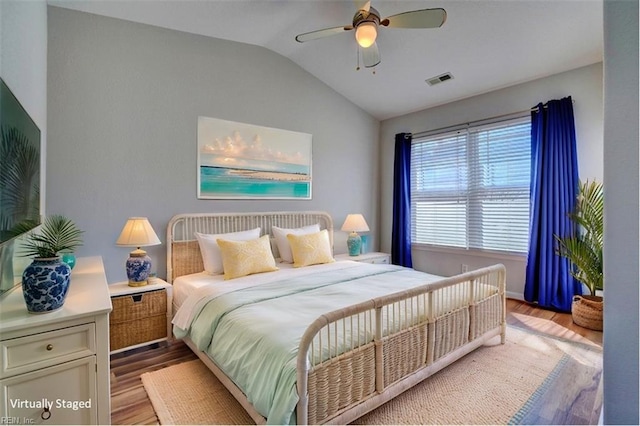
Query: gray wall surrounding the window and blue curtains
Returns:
{"type": "Point", "coordinates": [583, 84]}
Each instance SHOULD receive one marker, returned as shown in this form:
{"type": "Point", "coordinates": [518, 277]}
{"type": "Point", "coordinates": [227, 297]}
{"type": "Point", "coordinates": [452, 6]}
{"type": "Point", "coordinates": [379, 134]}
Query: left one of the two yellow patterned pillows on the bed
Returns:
{"type": "Point", "coordinates": [241, 258]}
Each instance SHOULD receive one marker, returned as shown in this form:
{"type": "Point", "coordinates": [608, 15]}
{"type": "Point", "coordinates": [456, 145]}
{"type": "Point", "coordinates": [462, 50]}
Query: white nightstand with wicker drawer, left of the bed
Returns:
{"type": "Point", "coordinates": [141, 315]}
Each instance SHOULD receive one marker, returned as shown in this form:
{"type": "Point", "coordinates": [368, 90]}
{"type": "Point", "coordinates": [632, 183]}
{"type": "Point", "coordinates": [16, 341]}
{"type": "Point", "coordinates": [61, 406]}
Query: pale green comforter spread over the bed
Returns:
{"type": "Point", "coordinates": [253, 334]}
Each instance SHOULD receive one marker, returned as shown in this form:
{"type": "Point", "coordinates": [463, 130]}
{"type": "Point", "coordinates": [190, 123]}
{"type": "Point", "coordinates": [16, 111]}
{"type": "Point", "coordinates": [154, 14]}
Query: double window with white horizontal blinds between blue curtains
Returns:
{"type": "Point", "coordinates": [470, 187]}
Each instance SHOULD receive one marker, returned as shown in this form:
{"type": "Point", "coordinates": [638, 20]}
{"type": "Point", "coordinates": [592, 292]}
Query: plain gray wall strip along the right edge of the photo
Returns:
{"type": "Point", "coordinates": [621, 275]}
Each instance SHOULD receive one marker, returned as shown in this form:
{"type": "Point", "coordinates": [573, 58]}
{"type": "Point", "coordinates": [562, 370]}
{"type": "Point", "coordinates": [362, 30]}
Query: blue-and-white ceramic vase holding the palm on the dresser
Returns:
{"type": "Point", "coordinates": [45, 283]}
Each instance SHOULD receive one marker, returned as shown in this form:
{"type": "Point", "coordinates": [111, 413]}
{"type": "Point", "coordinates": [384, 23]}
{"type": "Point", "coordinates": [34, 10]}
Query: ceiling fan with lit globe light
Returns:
{"type": "Point", "coordinates": [366, 22]}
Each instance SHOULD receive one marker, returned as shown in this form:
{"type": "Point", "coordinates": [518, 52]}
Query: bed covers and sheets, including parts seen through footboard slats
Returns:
{"type": "Point", "coordinates": [257, 320]}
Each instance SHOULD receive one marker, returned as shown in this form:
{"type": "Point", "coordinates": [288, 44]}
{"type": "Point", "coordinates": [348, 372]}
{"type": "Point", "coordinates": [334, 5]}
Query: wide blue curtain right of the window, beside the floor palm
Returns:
{"type": "Point", "coordinates": [554, 187]}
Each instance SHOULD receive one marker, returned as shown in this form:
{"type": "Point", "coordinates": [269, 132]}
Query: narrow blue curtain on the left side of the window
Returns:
{"type": "Point", "coordinates": [401, 230]}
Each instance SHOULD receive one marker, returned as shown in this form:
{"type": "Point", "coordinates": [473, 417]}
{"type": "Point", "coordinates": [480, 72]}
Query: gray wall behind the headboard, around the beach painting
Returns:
{"type": "Point", "coordinates": [123, 105]}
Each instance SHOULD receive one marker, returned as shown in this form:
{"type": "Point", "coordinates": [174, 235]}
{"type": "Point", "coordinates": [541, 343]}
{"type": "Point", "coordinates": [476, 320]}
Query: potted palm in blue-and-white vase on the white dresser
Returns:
{"type": "Point", "coordinates": [45, 282]}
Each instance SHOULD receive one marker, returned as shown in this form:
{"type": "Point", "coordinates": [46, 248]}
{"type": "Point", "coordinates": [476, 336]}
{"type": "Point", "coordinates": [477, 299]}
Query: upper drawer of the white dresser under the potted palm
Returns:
{"type": "Point", "coordinates": [46, 349]}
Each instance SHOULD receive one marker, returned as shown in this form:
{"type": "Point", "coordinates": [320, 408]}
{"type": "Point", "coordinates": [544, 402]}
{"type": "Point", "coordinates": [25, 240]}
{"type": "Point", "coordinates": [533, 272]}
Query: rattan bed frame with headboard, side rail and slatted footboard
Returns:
{"type": "Point", "coordinates": [400, 339]}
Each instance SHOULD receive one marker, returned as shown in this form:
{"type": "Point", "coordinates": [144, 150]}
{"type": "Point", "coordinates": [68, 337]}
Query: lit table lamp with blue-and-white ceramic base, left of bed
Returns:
{"type": "Point", "coordinates": [137, 232]}
